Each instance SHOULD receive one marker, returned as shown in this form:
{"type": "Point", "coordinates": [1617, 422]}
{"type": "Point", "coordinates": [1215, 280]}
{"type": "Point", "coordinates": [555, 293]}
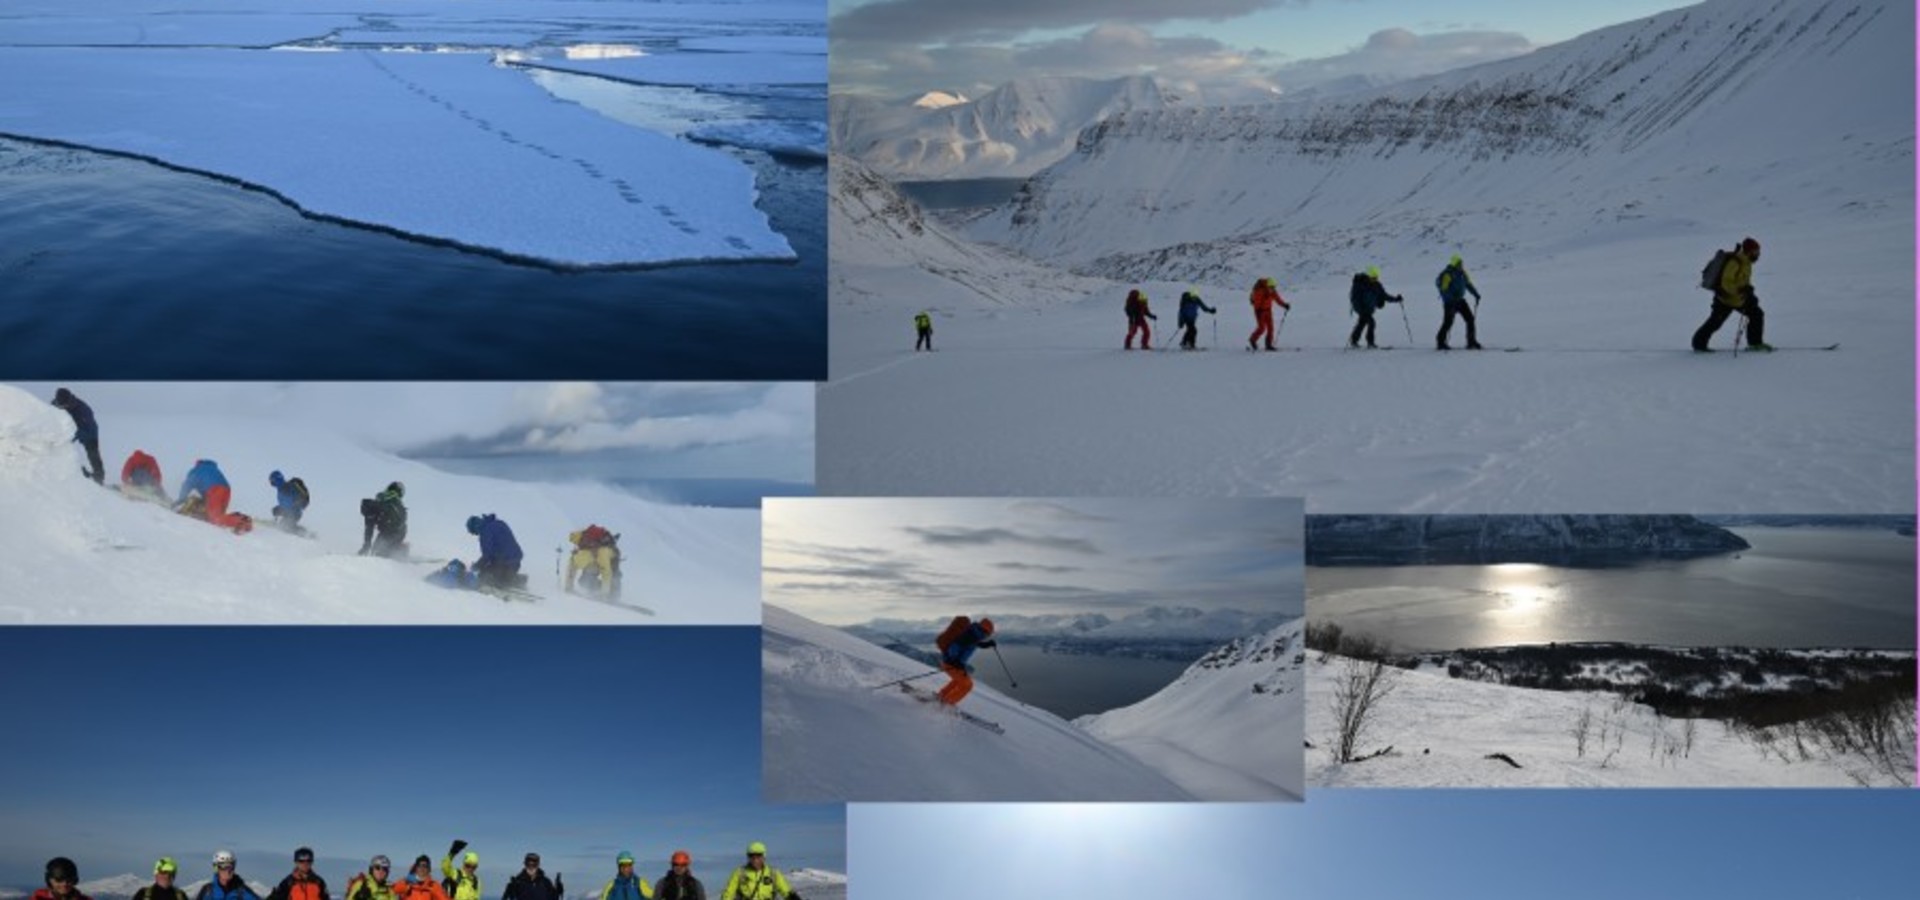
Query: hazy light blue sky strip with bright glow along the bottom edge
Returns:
{"type": "Point", "coordinates": [1433, 845]}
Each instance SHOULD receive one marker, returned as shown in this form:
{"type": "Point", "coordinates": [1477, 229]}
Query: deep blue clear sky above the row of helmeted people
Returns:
{"type": "Point", "coordinates": [579, 744]}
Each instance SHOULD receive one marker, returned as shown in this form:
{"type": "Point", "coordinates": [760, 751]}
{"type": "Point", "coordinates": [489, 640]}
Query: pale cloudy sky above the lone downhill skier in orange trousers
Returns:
{"type": "Point", "coordinates": [850, 561]}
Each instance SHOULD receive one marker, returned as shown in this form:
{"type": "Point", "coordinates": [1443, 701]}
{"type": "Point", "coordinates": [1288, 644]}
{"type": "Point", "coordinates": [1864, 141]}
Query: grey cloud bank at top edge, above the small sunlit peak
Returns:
{"type": "Point", "coordinates": [905, 22]}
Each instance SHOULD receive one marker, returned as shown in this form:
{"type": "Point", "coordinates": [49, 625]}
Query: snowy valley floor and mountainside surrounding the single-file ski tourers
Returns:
{"type": "Point", "coordinates": [1585, 222]}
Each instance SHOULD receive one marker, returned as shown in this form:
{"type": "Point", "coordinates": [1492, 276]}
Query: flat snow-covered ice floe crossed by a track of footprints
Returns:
{"type": "Point", "coordinates": [439, 147]}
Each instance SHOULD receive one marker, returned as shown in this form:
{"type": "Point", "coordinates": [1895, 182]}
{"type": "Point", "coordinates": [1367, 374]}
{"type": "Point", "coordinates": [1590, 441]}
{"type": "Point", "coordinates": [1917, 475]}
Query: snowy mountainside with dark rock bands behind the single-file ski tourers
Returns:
{"type": "Point", "coordinates": [1725, 116]}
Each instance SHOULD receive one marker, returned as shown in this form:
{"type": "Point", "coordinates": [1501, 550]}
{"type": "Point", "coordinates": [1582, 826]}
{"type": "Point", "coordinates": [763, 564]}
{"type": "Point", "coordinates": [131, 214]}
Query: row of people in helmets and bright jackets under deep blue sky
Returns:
{"type": "Point", "coordinates": [754, 880]}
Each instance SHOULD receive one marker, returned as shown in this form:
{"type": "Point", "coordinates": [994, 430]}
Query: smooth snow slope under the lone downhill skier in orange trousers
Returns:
{"type": "Point", "coordinates": [828, 736]}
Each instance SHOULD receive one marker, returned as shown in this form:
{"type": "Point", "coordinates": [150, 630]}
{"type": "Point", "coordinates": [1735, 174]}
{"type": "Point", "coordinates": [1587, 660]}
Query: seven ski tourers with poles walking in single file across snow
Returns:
{"type": "Point", "coordinates": [1729, 277]}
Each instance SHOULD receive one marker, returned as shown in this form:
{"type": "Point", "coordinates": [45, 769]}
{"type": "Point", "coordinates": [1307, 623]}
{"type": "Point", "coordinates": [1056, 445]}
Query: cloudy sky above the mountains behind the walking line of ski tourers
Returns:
{"type": "Point", "coordinates": [1216, 47]}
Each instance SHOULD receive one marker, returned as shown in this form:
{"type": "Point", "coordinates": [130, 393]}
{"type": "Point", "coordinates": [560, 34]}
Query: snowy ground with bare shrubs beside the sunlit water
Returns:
{"type": "Point", "coordinates": [1445, 732]}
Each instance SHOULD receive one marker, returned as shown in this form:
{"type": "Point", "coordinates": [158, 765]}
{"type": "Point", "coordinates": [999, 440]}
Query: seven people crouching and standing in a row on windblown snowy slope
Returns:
{"type": "Point", "coordinates": [594, 565]}
